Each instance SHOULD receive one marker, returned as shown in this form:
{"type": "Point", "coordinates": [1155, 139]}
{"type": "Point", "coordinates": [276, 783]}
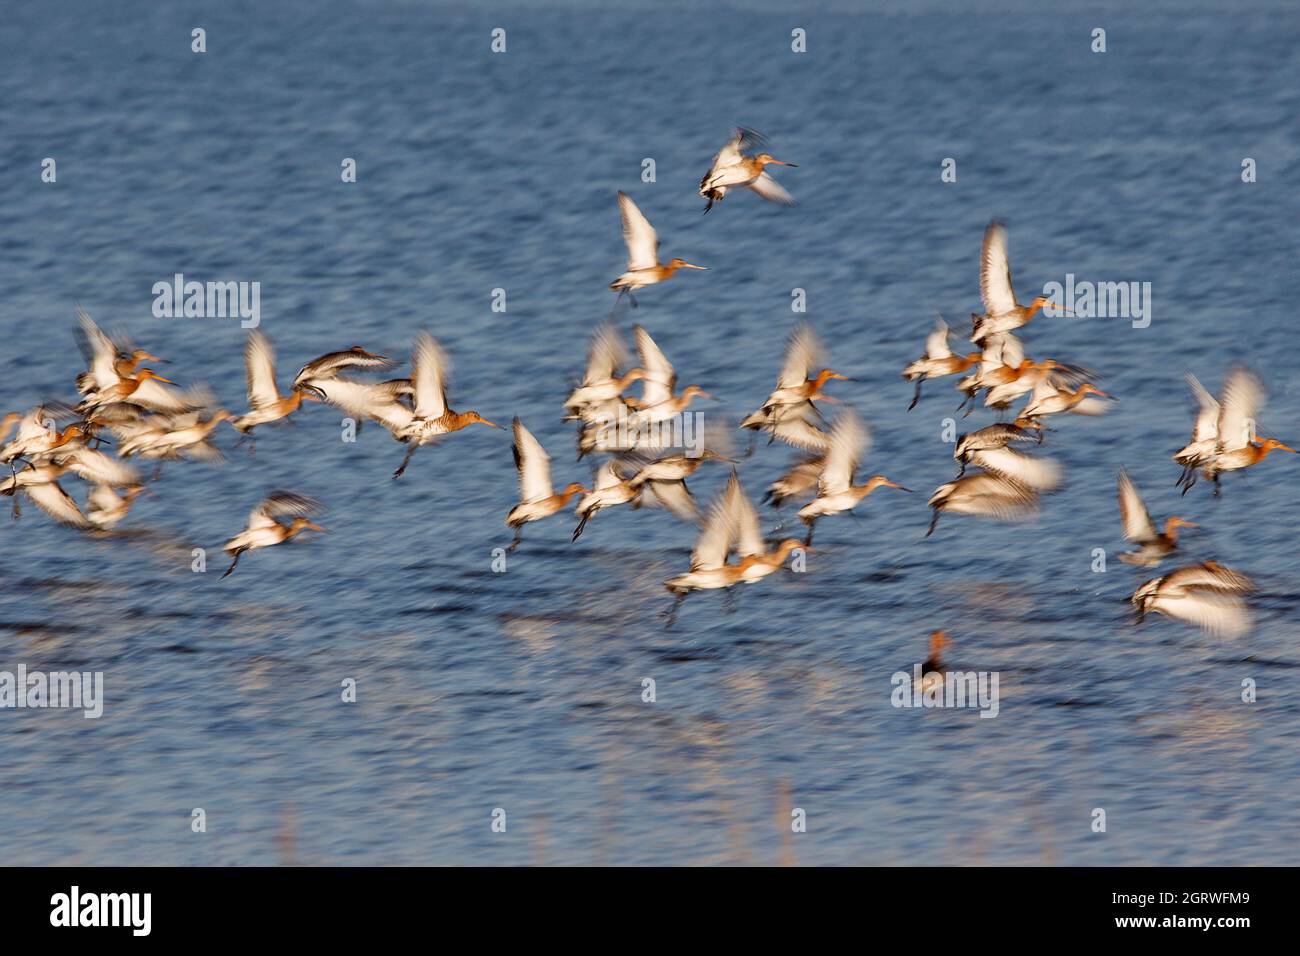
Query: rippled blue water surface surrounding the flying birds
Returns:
{"type": "Point", "coordinates": [523, 690]}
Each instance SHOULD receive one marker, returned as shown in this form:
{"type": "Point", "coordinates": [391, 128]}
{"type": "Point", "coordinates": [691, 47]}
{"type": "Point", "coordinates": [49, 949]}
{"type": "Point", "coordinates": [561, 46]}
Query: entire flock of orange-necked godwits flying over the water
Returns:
{"type": "Point", "coordinates": [137, 413]}
